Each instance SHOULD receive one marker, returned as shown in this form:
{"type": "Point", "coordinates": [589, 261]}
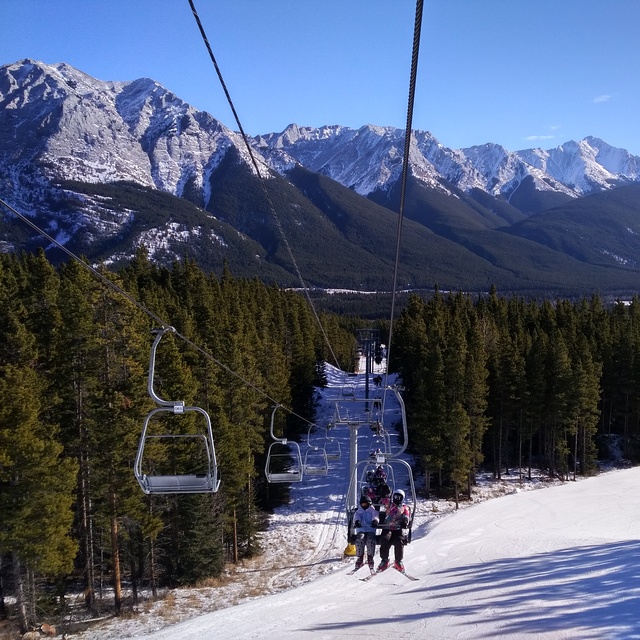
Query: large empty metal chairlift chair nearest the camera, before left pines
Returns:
{"type": "Point", "coordinates": [205, 478]}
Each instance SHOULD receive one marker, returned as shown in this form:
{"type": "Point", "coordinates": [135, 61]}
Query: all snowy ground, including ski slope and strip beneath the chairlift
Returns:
{"type": "Point", "coordinates": [561, 563]}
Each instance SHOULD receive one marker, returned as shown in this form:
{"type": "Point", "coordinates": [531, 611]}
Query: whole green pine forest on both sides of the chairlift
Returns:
{"type": "Point", "coordinates": [497, 383]}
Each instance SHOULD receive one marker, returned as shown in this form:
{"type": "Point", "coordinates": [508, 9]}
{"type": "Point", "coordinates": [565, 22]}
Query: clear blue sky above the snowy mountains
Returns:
{"type": "Point", "coordinates": [521, 73]}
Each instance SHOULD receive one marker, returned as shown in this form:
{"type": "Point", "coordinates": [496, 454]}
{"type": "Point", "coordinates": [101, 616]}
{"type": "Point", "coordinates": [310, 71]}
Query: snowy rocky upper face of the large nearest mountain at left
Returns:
{"type": "Point", "coordinates": [63, 124]}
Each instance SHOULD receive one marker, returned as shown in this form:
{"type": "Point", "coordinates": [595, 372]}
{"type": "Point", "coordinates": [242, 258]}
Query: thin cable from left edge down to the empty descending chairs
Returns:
{"type": "Point", "coordinates": [144, 309]}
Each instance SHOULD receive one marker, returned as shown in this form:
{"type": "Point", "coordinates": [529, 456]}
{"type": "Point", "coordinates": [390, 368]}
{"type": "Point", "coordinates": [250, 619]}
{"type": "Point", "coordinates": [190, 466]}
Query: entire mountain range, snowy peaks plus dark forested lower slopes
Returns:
{"type": "Point", "coordinates": [105, 167]}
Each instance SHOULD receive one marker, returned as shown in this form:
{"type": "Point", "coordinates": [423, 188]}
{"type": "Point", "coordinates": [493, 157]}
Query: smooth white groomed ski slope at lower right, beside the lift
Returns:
{"type": "Point", "coordinates": [558, 563]}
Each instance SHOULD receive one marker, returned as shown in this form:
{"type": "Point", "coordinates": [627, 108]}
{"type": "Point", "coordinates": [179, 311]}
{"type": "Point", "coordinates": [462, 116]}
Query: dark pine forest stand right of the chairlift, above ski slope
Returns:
{"type": "Point", "coordinates": [509, 383]}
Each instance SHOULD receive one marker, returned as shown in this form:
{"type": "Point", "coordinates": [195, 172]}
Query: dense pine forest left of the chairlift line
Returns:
{"type": "Point", "coordinates": [74, 356]}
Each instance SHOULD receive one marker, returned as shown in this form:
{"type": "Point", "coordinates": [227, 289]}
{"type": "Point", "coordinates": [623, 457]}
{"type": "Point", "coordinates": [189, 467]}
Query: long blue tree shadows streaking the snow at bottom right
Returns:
{"type": "Point", "coordinates": [538, 594]}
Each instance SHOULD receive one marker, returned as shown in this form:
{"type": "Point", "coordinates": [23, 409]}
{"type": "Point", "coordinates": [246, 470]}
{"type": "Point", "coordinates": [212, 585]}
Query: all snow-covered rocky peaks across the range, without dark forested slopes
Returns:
{"type": "Point", "coordinates": [73, 126]}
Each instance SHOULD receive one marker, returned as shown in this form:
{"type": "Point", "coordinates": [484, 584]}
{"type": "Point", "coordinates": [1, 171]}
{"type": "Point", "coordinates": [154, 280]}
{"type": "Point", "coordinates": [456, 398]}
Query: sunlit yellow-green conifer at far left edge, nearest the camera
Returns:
{"type": "Point", "coordinates": [36, 481]}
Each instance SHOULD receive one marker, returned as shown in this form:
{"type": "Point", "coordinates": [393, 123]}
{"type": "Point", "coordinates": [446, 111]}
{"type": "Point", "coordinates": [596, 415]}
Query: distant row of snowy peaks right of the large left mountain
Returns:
{"type": "Point", "coordinates": [370, 159]}
